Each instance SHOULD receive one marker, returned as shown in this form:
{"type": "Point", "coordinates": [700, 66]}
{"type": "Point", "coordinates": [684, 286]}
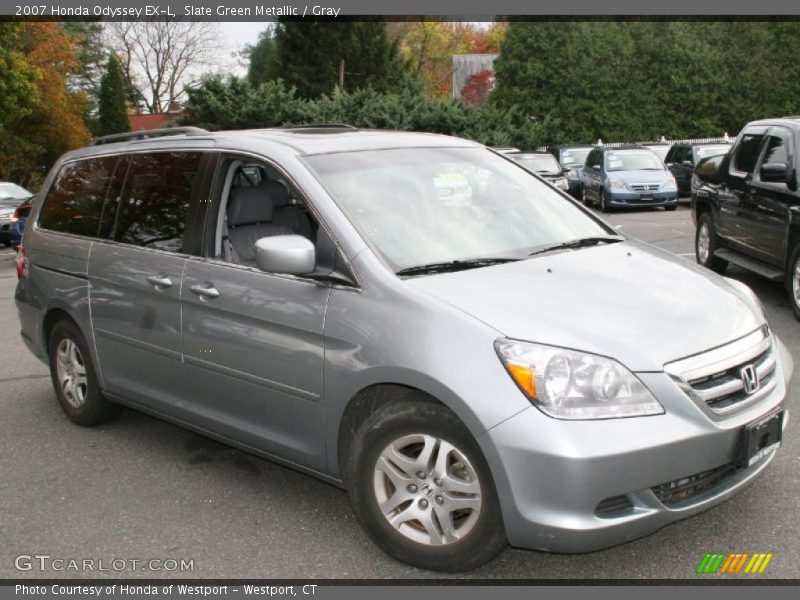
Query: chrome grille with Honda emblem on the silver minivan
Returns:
{"type": "Point", "coordinates": [716, 377]}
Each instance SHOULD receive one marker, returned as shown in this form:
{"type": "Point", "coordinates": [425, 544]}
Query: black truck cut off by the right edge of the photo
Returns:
{"type": "Point", "coordinates": [745, 206]}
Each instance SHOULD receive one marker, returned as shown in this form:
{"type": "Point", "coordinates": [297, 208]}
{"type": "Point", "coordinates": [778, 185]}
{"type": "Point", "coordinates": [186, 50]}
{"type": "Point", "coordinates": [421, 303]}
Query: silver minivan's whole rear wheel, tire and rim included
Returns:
{"type": "Point", "coordinates": [75, 378]}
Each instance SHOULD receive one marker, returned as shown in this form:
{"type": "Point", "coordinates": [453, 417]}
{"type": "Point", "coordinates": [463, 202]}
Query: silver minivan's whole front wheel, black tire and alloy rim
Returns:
{"type": "Point", "coordinates": [422, 490]}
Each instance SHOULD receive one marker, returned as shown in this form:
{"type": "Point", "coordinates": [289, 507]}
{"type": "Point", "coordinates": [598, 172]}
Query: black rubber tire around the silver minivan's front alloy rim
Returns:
{"type": "Point", "coordinates": [416, 415]}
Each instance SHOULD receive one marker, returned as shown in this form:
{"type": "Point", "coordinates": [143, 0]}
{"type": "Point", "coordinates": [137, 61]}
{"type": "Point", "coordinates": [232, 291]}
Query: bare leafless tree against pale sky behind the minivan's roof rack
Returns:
{"type": "Point", "coordinates": [160, 58]}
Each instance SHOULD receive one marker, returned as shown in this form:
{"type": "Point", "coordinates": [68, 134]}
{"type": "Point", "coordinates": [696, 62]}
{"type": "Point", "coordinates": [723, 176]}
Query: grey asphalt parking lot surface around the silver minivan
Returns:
{"type": "Point", "coordinates": [138, 488]}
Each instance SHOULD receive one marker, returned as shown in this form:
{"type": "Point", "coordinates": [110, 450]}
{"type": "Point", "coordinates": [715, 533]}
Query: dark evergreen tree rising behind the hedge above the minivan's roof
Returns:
{"type": "Point", "coordinates": [309, 55]}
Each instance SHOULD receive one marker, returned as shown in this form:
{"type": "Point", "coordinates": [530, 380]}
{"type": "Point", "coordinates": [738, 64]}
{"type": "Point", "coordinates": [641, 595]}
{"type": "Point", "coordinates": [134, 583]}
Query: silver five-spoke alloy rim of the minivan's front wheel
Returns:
{"type": "Point", "coordinates": [427, 489]}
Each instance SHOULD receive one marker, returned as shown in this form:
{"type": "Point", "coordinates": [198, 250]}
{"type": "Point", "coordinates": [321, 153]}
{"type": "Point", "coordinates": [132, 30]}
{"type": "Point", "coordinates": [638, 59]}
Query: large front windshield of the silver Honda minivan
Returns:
{"type": "Point", "coordinates": [423, 206]}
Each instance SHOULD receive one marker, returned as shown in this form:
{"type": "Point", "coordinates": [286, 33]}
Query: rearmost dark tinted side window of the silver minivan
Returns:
{"type": "Point", "coordinates": [78, 201]}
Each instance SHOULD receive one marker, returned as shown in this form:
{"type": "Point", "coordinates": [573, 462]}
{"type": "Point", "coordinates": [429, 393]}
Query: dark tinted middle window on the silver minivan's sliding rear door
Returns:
{"type": "Point", "coordinates": [155, 202]}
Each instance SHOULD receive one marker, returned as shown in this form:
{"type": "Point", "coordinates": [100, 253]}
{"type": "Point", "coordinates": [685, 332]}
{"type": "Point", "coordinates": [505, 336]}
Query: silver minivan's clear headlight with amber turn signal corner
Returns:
{"type": "Point", "coordinates": [567, 384]}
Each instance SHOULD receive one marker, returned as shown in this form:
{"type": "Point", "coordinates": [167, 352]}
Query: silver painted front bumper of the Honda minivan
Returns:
{"type": "Point", "coordinates": [557, 479]}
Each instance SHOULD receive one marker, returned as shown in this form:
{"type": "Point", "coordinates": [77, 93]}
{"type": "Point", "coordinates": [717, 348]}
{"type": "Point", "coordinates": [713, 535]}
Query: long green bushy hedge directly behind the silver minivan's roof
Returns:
{"type": "Point", "coordinates": [220, 103]}
